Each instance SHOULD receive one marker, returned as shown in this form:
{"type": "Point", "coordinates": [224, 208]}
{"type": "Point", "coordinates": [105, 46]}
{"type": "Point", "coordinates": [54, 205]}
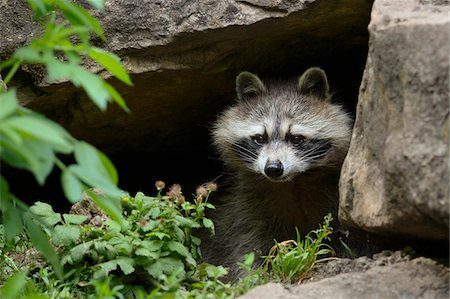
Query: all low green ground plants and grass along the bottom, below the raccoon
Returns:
{"type": "Point", "coordinates": [156, 256]}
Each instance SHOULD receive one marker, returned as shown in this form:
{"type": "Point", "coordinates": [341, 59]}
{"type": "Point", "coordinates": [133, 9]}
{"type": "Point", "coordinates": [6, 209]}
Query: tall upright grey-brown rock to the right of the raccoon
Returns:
{"type": "Point", "coordinates": [395, 179]}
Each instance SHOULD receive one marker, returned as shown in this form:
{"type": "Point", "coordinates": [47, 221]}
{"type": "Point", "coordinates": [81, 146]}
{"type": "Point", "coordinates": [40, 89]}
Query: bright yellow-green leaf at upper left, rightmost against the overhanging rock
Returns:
{"type": "Point", "coordinates": [111, 62]}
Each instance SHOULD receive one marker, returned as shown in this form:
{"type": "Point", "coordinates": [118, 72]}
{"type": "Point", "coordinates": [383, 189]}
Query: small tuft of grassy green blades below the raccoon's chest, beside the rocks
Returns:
{"type": "Point", "coordinates": [291, 260]}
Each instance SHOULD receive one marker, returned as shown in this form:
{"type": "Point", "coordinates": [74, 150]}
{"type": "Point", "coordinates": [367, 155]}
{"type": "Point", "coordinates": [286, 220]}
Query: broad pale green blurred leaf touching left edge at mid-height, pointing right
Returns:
{"type": "Point", "coordinates": [41, 129]}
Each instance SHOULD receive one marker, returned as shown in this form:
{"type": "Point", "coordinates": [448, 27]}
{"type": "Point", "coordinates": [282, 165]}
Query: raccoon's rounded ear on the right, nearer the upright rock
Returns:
{"type": "Point", "coordinates": [314, 82]}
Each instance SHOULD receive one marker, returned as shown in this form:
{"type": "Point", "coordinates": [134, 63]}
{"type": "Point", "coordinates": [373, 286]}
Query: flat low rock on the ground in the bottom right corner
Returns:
{"type": "Point", "coordinates": [385, 276]}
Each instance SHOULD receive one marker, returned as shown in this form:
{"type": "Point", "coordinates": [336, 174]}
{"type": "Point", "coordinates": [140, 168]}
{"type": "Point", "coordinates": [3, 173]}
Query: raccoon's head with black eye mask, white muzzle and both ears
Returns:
{"type": "Point", "coordinates": [281, 131]}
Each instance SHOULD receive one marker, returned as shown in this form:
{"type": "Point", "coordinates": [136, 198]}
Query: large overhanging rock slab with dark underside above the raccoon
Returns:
{"type": "Point", "coordinates": [184, 56]}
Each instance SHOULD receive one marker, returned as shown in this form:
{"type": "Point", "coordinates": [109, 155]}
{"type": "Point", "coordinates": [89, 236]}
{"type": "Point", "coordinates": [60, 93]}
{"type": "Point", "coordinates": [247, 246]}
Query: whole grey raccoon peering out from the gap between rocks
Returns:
{"type": "Point", "coordinates": [285, 143]}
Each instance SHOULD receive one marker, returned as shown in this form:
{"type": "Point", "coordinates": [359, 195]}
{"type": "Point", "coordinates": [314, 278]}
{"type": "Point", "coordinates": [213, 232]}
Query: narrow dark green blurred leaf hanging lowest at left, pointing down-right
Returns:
{"type": "Point", "coordinates": [41, 242]}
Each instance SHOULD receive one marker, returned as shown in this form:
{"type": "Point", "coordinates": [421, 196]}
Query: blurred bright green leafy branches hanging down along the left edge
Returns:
{"type": "Point", "coordinates": [32, 142]}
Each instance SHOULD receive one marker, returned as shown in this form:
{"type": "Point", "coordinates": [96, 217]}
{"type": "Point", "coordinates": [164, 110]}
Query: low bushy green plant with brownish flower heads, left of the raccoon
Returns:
{"type": "Point", "coordinates": [157, 251]}
